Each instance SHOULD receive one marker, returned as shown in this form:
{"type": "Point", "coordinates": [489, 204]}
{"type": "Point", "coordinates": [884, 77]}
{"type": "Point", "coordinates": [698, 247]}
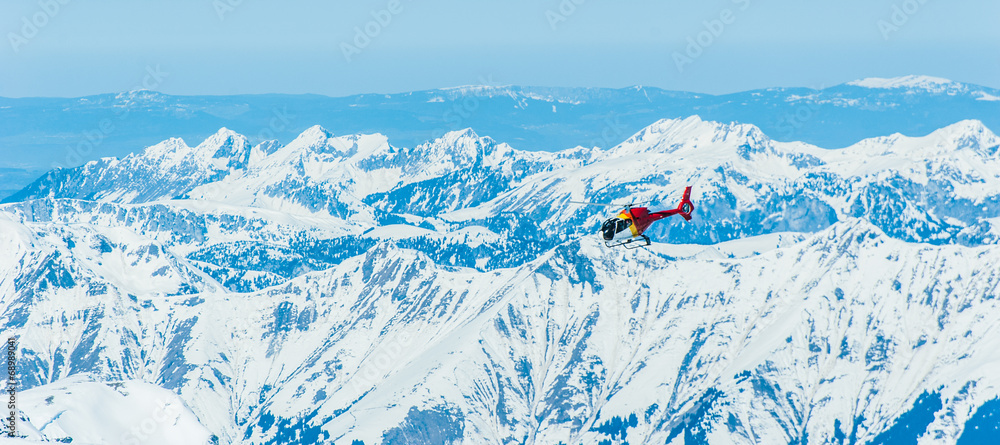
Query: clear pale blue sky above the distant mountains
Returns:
{"type": "Point", "coordinates": [73, 48]}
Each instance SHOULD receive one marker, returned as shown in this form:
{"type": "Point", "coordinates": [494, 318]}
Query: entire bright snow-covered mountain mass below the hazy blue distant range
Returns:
{"type": "Point", "coordinates": [343, 289]}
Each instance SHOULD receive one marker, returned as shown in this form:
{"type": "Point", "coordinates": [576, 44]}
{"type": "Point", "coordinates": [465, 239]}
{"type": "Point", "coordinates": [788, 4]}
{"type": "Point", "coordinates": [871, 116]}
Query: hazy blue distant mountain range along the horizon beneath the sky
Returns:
{"type": "Point", "coordinates": [37, 134]}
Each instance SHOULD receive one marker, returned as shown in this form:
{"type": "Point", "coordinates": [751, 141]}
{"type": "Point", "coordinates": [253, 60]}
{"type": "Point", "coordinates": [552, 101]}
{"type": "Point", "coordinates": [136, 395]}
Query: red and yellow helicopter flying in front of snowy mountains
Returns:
{"type": "Point", "coordinates": [627, 227]}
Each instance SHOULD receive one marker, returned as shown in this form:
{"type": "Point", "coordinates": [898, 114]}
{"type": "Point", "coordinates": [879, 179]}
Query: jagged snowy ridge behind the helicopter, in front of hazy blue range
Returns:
{"type": "Point", "coordinates": [365, 179]}
